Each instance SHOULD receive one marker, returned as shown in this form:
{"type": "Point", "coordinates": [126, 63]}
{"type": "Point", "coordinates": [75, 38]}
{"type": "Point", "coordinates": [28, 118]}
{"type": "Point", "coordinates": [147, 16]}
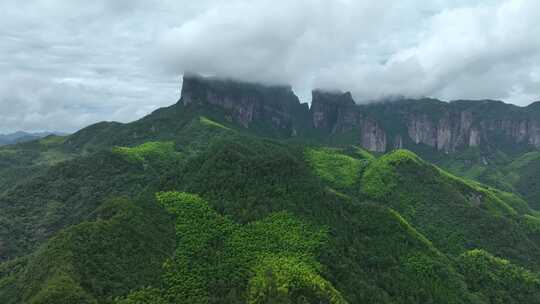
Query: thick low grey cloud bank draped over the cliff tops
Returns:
{"type": "Point", "coordinates": [447, 49]}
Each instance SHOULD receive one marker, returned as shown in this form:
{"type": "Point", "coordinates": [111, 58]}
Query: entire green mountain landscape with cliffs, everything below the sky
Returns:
{"type": "Point", "coordinates": [239, 193]}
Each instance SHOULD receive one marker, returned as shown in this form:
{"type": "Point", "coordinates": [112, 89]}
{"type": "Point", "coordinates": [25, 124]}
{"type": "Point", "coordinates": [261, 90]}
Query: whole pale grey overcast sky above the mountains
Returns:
{"type": "Point", "coordinates": [67, 64]}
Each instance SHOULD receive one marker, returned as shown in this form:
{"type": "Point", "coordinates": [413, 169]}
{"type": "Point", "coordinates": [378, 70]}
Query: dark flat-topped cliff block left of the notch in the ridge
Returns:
{"type": "Point", "coordinates": [246, 103]}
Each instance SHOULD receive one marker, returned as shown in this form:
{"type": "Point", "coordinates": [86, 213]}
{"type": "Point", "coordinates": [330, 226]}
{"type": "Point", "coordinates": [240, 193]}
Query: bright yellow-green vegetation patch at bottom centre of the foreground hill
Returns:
{"type": "Point", "coordinates": [215, 257]}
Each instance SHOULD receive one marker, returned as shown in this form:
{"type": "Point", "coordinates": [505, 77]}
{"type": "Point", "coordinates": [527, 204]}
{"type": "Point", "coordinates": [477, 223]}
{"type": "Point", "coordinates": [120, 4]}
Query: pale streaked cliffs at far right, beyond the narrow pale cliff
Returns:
{"type": "Point", "coordinates": [462, 124]}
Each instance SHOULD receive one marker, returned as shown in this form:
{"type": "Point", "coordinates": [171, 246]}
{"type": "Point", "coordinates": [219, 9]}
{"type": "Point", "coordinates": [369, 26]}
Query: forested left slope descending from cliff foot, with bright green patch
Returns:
{"type": "Point", "coordinates": [67, 192]}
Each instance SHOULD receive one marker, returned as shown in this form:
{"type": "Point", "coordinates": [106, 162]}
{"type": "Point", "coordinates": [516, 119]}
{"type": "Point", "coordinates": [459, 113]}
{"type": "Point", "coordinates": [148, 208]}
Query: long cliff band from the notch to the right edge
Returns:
{"type": "Point", "coordinates": [442, 126]}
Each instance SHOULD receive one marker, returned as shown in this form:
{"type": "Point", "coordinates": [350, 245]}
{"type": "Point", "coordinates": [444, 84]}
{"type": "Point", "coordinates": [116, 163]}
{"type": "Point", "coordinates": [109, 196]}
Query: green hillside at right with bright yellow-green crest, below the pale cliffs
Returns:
{"type": "Point", "coordinates": [455, 214]}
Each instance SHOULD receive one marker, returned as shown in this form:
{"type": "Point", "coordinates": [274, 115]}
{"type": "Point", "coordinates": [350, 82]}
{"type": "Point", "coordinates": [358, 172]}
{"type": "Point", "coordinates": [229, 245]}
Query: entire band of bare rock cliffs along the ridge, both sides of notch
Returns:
{"type": "Point", "coordinates": [442, 126]}
